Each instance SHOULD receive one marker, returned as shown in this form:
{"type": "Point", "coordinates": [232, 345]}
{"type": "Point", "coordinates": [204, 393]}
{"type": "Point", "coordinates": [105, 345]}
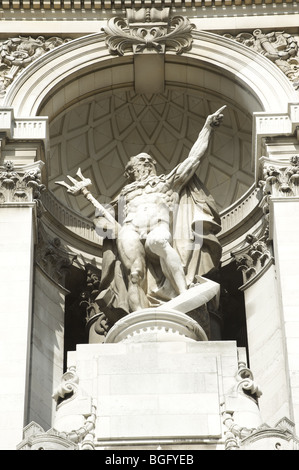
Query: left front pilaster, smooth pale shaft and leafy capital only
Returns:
{"type": "Point", "coordinates": [20, 188]}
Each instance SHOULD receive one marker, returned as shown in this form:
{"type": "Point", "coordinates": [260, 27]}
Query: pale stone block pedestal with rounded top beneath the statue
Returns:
{"type": "Point", "coordinates": [153, 386]}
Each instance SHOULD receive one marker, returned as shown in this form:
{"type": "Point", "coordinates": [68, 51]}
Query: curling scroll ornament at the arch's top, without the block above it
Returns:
{"type": "Point", "coordinates": [175, 36]}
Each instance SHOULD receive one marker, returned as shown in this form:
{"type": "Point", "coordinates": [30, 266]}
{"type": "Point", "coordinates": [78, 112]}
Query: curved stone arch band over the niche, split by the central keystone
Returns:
{"type": "Point", "coordinates": [84, 66]}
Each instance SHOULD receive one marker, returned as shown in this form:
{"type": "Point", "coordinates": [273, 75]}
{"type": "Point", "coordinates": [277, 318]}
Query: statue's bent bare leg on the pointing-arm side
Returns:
{"type": "Point", "coordinates": [158, 242]}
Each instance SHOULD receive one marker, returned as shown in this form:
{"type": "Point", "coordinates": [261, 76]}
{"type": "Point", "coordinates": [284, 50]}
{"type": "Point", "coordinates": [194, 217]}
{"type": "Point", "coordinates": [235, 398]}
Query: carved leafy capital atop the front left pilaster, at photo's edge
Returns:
{"type": "Point", "coordinates": [22, 184]}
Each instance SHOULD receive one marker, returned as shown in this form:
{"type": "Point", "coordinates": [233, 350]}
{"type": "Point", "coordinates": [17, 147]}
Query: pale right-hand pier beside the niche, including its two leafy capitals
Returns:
{"type": "Point", "coordinates": [269, 265]}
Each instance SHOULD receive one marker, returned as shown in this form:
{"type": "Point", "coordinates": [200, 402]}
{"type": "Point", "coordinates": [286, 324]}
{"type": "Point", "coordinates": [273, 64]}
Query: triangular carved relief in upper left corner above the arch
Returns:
{"type": "Point", "coordinates": [16, 53]}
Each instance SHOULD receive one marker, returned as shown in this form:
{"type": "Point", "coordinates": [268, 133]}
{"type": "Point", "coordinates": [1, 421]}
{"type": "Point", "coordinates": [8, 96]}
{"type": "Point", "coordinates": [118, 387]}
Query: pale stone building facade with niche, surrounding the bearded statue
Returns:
{"type": "Point", "coordinates": [85, 85]}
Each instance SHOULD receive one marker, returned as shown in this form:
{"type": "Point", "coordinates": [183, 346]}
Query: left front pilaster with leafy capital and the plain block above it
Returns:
{"type": "Point", "coordinates": [22, 153]}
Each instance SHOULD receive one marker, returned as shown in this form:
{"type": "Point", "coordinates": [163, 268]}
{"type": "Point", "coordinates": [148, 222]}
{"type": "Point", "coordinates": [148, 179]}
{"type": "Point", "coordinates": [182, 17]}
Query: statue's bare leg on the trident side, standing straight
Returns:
{"type": "Point", "coordinates": [132, 255]}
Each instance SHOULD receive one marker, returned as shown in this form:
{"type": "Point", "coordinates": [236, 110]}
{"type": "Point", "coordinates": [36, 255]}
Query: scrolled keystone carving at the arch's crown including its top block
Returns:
{"type": "Point", "coordinates": [155, 32]}
